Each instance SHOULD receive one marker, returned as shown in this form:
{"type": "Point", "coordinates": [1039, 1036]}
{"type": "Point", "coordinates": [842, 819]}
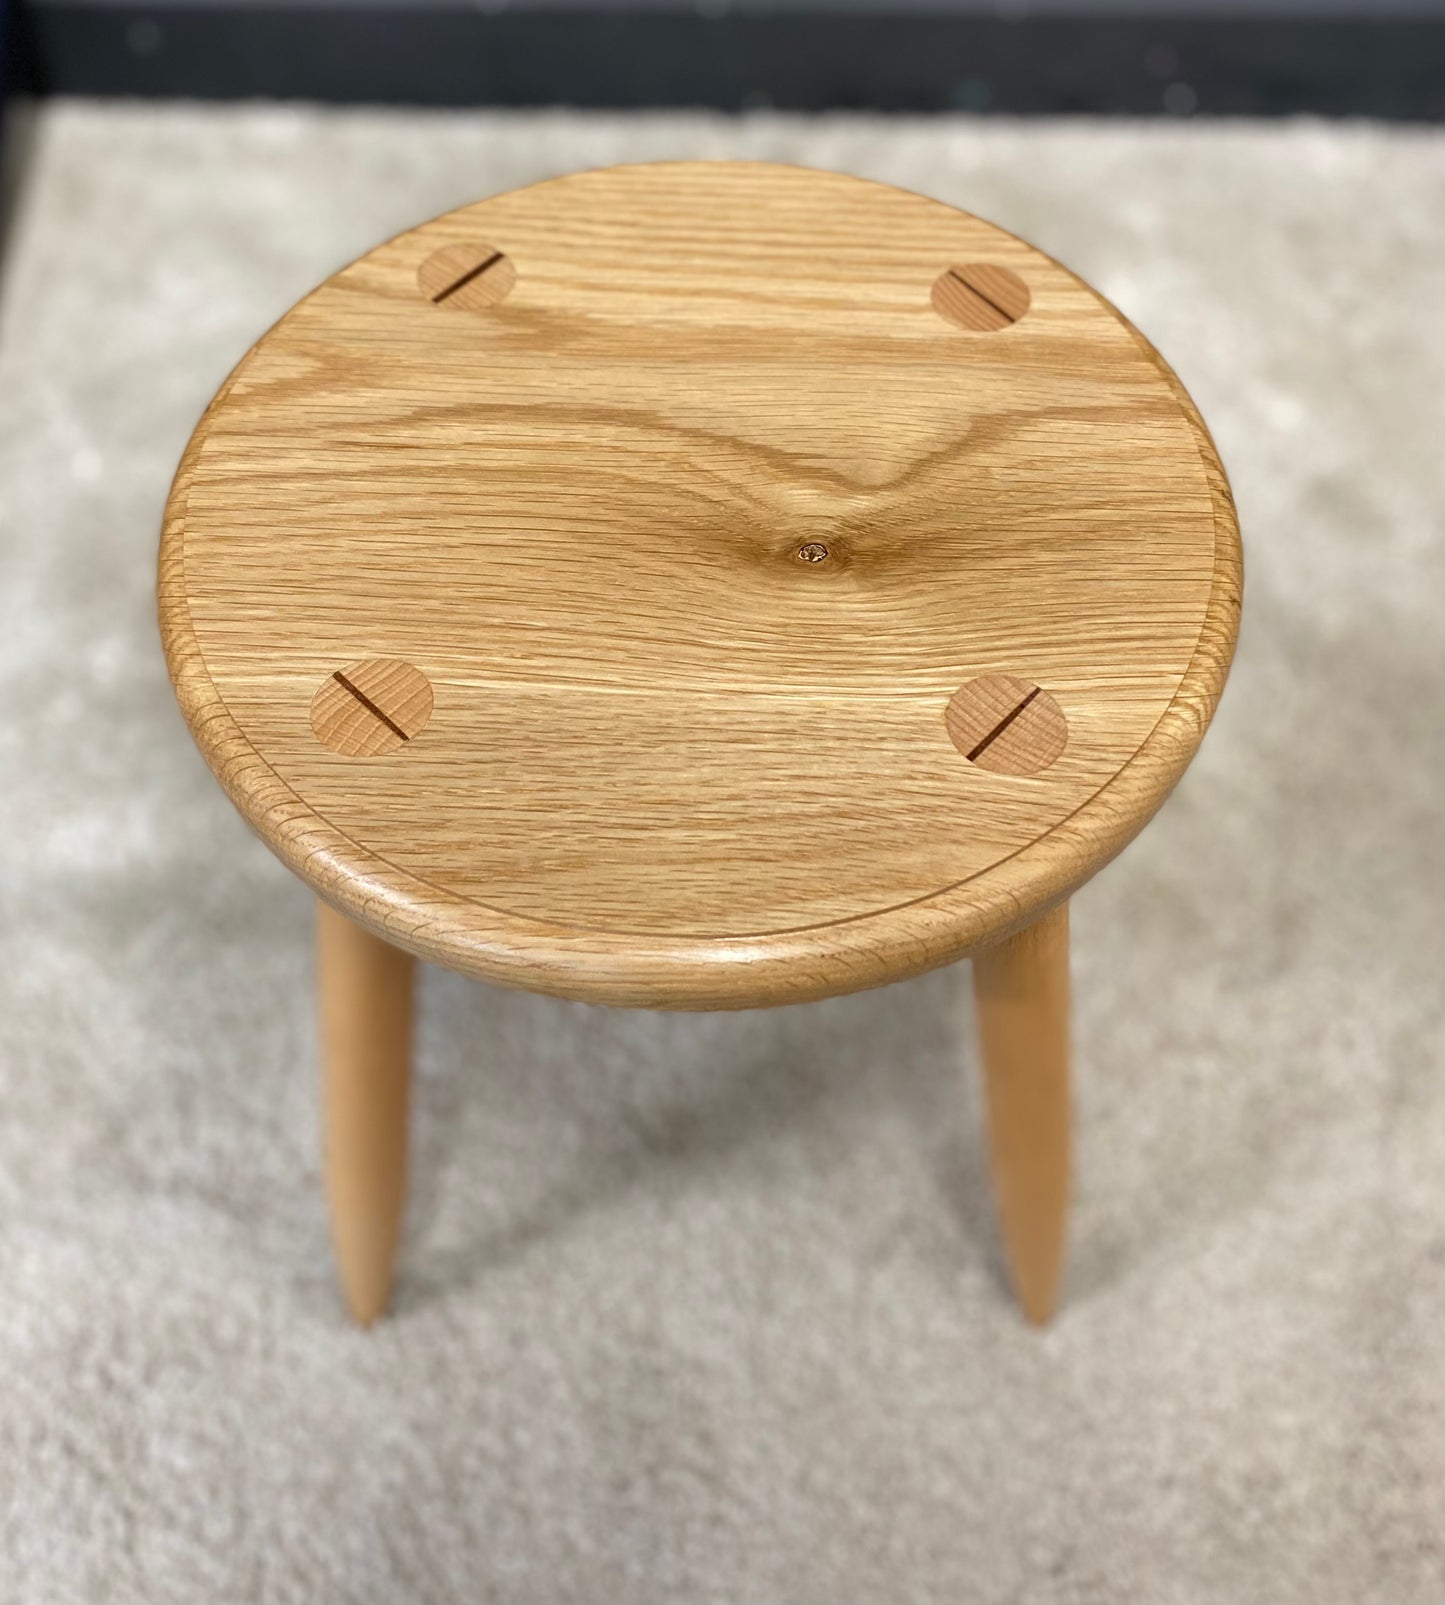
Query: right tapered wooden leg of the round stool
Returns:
{"type": "Point", "coordinates": [1024, 1014]}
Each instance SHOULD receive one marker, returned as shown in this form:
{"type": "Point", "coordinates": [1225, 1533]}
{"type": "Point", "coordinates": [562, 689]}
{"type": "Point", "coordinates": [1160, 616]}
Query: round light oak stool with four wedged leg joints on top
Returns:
{"type": "Point", "coordinates": [699, 587]}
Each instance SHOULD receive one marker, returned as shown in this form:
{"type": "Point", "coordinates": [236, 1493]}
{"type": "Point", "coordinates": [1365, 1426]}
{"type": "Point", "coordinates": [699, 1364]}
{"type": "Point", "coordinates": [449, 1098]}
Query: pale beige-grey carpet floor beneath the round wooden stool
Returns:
{"type": "Point", "coordinates": [709, 1309]}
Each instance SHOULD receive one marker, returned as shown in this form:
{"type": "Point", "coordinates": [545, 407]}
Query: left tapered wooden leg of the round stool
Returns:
{"type": "Point", "coordinates": [365, 996]}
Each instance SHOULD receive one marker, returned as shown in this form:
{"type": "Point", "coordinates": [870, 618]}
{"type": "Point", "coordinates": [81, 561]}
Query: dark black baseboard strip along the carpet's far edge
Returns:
{"type": "Point", "coordinates": [1366, 65]}
